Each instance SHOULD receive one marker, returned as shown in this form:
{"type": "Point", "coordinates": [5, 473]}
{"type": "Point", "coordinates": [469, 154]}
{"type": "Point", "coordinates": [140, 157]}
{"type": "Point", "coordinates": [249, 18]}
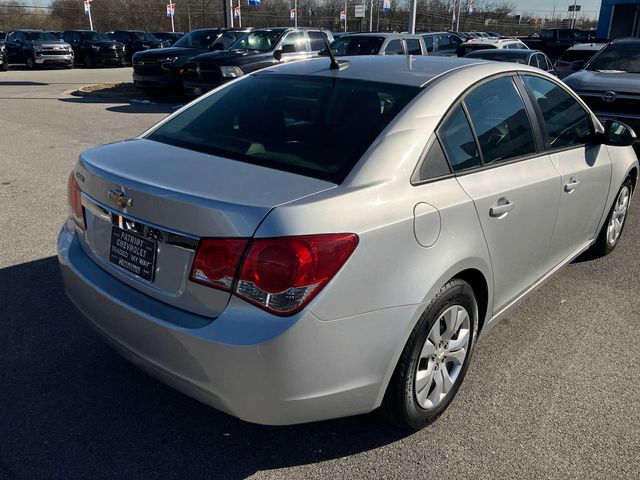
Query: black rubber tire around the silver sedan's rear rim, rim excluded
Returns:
{"type": "Point", "coordinates": [400, 405]}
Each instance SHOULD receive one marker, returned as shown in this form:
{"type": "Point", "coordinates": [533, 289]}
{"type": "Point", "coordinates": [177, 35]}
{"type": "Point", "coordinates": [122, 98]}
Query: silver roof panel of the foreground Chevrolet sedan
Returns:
{"type": "Point", "coordinates": [406, 70]}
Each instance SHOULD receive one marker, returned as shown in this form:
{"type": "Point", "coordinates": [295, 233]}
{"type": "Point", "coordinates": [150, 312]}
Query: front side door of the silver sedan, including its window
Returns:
{"type": "Point", "coordinates": [585, 168]}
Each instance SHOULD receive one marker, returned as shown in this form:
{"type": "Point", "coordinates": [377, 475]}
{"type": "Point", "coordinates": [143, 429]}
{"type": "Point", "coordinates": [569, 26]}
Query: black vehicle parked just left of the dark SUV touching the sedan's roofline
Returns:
{"type": "Point", "coordinates": [161, 69]}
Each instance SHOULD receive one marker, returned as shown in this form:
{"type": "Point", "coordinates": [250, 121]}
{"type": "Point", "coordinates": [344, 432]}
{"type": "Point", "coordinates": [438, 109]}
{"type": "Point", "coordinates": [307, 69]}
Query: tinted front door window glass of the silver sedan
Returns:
{"type": "Point", "coordinates": [566, 122]}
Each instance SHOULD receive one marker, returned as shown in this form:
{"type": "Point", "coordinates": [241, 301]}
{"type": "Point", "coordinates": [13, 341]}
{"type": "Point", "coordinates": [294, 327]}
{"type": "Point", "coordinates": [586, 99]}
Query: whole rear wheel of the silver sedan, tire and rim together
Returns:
{"type": "Point", "coordinates": [435, 359]}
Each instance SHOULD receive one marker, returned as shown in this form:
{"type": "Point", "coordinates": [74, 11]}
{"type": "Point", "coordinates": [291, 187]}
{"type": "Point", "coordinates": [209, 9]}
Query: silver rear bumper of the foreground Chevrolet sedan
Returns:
{"type": "Point", "coordinates": [258, 367]}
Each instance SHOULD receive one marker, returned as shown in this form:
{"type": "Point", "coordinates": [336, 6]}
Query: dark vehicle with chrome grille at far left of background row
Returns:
{"type": "Point", "coordinates": [35, 47]}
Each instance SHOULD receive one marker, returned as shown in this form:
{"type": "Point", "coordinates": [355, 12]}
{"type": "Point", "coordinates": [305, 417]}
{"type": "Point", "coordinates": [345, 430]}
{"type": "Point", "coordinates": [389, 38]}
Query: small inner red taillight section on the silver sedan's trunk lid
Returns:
{"type": "Point", "coordinates": [216, 262]}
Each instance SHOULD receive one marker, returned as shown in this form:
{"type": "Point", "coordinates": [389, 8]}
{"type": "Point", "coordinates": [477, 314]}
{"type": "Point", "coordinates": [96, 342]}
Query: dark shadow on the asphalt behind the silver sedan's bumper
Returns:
{"type": "Point", "coordinates": [72, 408]}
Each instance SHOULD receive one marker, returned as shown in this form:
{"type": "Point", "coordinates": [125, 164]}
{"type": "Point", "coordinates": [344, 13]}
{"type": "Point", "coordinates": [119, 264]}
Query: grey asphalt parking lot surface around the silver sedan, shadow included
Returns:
{"type": "Point", "coordinates": [552, 392]}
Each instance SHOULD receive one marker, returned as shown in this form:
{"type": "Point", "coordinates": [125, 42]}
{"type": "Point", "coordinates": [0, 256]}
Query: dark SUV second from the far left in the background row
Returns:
{"type": "Point", "coordinates": [94, 48]}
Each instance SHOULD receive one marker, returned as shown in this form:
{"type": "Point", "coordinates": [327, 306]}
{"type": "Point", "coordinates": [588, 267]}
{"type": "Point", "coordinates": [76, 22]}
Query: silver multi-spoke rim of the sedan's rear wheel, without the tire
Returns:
{"type": "Point", "coordinates": [442, 357]}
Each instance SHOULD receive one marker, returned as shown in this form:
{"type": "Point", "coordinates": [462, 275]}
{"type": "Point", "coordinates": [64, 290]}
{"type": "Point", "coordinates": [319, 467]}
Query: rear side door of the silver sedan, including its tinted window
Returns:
{"type": "Point", "coordinates": [513, 184]}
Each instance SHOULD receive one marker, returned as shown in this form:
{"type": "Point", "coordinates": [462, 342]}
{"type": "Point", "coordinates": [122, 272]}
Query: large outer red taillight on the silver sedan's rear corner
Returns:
{"type": "Point", "coordinates": [282, 275]}
